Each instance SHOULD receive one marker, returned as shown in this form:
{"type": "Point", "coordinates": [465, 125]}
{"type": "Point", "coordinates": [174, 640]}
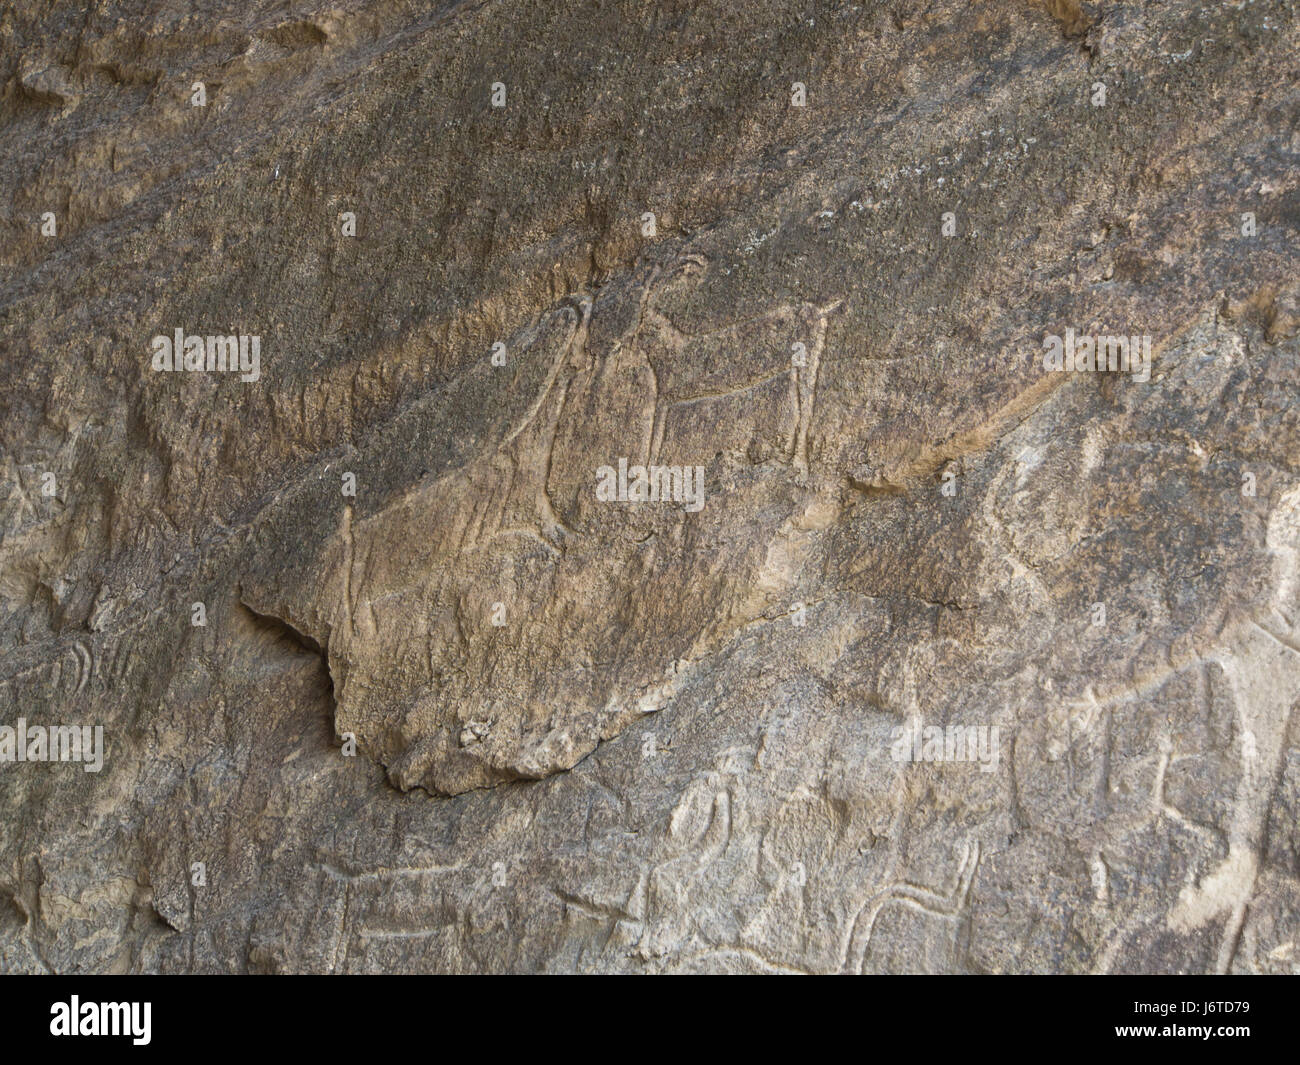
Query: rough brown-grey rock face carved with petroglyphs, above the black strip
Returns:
{"type": "Point", "coordinates": [473, 716]}
